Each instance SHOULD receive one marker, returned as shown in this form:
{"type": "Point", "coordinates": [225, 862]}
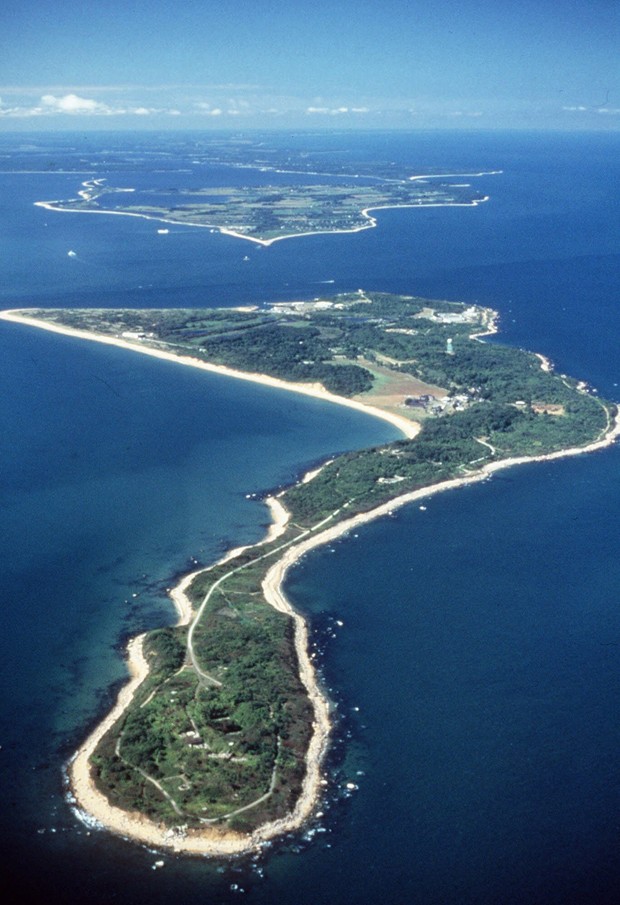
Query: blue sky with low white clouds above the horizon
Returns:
{"type": "Point", "coordinates": [236, 64]}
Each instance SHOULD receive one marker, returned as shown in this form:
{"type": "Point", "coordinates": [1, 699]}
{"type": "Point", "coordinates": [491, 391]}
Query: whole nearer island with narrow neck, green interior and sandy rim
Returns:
{"type": "Point", "coordinates": [217, 743]}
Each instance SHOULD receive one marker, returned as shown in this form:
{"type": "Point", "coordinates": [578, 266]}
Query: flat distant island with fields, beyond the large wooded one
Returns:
{"type": "Point", "coordinates": [270, 212]}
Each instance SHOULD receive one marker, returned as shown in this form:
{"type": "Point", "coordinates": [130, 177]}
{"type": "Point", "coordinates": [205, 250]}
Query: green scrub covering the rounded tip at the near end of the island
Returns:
{"type": "Point", "coordinates": [191, 752]}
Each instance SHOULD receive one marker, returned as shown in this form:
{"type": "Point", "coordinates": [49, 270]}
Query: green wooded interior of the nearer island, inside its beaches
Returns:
{"type": "Point", "coordinates": [225, 740]}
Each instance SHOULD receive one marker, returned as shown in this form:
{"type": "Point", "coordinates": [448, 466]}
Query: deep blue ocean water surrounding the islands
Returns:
{"type": "Point", "coordinates": [476, 672]}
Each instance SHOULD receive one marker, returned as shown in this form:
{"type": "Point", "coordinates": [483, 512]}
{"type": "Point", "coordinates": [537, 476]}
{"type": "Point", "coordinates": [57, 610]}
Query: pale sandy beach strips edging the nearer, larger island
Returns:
{"type": "Point", "coordinates": [92, 805]}
